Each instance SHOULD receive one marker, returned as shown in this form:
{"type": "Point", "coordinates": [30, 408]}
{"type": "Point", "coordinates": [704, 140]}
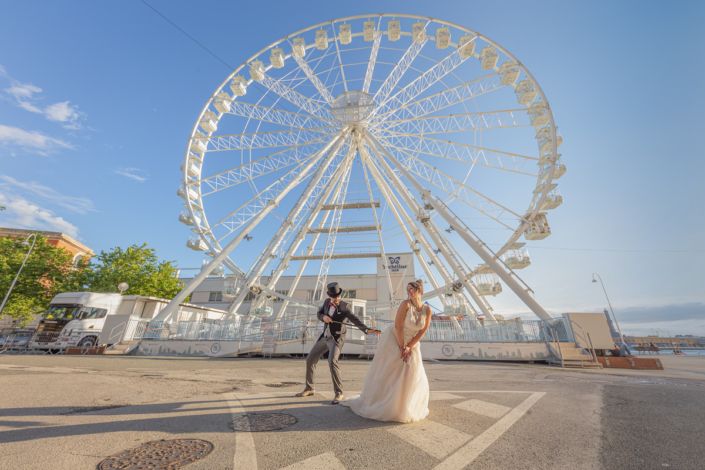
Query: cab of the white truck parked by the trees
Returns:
{"type": "Point", "coordinates": [74, 319]}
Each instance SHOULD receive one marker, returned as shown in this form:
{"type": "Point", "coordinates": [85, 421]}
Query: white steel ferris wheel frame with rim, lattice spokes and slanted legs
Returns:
{"type": "Point", "coordinates": [406, 211]}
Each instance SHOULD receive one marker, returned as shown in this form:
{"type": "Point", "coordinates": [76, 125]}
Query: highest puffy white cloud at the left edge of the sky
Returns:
{"type": "Point", "coordinates": [27, 97]}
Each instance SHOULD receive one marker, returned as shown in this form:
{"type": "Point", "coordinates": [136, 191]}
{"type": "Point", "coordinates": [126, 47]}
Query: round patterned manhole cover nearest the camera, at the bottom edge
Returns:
{"type": "Point", "coordinates": [164, 454]}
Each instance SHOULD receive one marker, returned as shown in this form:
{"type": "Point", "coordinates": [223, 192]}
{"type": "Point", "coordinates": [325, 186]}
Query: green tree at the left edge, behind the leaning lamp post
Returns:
{"type": "Point", "coordinates": [48, 271]}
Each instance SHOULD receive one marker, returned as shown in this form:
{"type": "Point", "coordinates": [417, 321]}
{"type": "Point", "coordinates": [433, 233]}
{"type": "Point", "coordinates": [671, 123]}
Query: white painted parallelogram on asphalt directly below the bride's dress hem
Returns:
{"type": "Point", "coordinates": [435, 439]}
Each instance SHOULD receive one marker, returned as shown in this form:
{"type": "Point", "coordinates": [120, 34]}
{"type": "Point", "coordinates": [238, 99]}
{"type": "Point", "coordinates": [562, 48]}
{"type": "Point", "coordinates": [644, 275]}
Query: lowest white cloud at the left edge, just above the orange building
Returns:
{"type": "Point", "coordinates": [19, 212]}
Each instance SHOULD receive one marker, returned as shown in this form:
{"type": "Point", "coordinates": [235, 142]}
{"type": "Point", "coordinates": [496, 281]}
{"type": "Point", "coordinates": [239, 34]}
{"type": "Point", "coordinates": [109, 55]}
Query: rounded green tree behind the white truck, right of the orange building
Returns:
{"type": "Point", "coordinates": [139, 267]}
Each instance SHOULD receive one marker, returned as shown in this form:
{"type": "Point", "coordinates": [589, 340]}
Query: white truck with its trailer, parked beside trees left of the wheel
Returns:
{"type": "Point", "coordinates": [87, 319]}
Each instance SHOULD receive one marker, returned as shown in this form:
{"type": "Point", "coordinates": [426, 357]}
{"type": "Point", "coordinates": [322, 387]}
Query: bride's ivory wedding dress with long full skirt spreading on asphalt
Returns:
{"type": "Point", "coordinates": [394, 390]}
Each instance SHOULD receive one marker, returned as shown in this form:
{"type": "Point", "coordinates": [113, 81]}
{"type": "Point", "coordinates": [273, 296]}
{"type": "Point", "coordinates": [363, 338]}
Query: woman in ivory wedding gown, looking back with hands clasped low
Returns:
{"type": "Point", "coordinates": [396, 386]}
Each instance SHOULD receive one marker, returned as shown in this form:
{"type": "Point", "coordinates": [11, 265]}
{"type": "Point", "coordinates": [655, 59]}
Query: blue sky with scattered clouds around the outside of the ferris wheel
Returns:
{"type": "Point", "coordinates": [97, 100]}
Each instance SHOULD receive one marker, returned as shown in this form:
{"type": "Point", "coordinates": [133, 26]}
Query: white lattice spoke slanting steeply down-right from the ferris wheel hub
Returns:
{"type": "Point", "coordinates": [455, 188]}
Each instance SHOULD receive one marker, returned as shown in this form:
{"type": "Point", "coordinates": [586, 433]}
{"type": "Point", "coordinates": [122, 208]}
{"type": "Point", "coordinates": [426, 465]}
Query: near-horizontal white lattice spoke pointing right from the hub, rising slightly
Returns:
{"type": "Point", "coordinates": [458, 123]}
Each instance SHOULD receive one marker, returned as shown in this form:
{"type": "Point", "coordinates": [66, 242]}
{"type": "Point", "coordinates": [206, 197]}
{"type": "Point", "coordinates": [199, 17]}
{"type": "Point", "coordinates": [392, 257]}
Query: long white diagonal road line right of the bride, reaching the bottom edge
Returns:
{"type": "Point", "coordinates": [470, 451]}
